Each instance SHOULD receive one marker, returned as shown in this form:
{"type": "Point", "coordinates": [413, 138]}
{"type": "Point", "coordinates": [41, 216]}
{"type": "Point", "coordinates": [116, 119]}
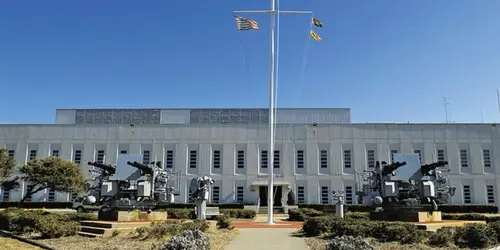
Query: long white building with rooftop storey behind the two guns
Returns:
{"type": "Point", "coordinates": [317, 150]}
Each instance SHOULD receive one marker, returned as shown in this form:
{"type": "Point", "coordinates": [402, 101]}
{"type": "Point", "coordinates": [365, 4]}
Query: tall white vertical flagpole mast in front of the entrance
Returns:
{"type": "Point", "coordinates": [270, 184]}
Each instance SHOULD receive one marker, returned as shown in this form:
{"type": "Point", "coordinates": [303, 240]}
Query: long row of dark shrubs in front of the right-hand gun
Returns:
{"type": "Point", "coordinates": [470, 236]}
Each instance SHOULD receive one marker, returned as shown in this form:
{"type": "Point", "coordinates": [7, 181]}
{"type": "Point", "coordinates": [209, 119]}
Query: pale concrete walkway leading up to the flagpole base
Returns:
{"type": "Point", "coordinates": [267, 238]}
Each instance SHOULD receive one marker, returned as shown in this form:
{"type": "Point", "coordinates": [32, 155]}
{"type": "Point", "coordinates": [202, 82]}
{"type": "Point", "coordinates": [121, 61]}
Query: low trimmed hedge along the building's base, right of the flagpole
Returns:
{"type": "Point", "coordinates": [445, 208]}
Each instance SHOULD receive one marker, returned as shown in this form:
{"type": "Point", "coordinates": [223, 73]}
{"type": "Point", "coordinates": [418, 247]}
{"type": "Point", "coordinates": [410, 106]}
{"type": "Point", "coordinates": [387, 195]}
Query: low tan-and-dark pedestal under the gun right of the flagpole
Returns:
{"type": "Point", "coordinates": [407, 216]}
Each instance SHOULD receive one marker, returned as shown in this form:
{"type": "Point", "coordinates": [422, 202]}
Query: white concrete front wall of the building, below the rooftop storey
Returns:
{"type": "Point", "coordinates": [253, 138]}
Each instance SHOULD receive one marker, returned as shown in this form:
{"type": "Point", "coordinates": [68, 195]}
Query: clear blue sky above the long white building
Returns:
{"type": "Point", "coordinates": [387, 60]}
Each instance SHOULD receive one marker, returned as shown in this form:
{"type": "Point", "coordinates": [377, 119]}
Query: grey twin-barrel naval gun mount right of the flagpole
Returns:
{"type": "Point", "coordinates": [405, 184]}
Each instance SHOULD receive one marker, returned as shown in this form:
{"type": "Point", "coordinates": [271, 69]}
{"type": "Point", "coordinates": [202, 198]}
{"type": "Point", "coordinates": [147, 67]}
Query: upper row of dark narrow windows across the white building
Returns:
{"type": "Point", "coordinates": [240, 157]}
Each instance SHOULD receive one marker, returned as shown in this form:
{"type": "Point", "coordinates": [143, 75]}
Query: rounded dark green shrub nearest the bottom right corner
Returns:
{"type": "Point", "coordinates": [475, 235]}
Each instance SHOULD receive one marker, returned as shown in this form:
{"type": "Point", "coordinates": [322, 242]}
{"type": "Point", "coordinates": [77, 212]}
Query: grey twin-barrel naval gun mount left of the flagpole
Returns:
{"type": "Point", "coordinates": [132, 184]}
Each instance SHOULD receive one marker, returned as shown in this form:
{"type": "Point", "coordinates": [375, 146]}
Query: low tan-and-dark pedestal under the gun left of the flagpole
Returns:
{"type": "Point", "coordinates": [135, 215]}
